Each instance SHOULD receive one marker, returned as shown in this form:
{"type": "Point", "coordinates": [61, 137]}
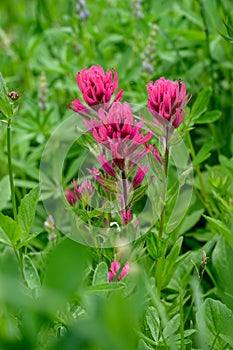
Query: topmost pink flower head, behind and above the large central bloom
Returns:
{"type": "Point", "coordinates": [97, 87]}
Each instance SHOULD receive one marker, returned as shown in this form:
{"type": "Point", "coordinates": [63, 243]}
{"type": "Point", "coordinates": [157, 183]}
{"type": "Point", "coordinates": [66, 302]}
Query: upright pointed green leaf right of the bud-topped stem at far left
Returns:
{"type": "Point", "coordinates": [27, 211]}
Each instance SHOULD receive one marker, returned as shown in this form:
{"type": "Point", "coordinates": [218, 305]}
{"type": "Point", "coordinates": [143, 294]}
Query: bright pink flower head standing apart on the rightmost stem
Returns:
{"type": "Point", "coordinates": [167, 99]}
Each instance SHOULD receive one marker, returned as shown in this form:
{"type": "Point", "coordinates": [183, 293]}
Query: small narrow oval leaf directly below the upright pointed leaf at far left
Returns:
{"type": "Point", "coordinates": [31, 275]}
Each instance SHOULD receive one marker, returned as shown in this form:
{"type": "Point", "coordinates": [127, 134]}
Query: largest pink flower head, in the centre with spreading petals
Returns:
{"type": "Point", "coordinates": [121, 135]}
